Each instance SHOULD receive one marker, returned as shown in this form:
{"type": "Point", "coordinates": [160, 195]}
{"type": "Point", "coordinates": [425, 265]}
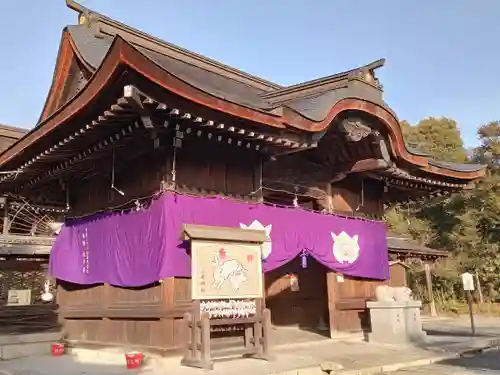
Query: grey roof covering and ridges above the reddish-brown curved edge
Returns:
{"type": "Point", "coordinates": [313, 100]}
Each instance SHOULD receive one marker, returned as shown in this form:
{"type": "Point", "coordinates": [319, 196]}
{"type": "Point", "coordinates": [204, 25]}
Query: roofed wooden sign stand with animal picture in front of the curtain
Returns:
{"type": "Point", "coordinates": [243, 309]}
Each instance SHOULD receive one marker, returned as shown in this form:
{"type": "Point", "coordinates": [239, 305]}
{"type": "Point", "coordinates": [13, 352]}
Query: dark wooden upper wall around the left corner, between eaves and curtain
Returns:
{"type": "Point", "coordinates": [212, 167]}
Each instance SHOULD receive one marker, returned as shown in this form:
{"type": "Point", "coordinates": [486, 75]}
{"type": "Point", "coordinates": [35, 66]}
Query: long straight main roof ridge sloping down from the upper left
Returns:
{"type": "Point", "coordinates": [94, 18]}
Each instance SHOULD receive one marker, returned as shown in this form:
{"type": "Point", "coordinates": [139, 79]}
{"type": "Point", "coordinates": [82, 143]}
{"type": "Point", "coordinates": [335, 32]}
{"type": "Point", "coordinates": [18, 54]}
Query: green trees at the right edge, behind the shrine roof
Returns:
{"type": "Point", "coordinates": [467, 224]}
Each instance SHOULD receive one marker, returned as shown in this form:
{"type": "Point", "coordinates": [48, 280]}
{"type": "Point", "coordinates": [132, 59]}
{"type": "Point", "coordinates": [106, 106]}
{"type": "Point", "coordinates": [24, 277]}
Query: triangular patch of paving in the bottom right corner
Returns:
{"type": "Point", "coordinates": [481, 364]}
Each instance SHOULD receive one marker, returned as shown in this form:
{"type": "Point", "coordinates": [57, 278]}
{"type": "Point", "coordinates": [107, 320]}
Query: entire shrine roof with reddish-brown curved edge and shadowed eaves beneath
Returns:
{"type": "Point", "coordinates": [298, 114]}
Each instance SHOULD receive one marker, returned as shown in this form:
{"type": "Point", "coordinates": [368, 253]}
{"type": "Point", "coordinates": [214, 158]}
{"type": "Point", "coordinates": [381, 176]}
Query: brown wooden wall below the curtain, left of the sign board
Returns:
{"type": "Point", "coordinates": [146, 317]}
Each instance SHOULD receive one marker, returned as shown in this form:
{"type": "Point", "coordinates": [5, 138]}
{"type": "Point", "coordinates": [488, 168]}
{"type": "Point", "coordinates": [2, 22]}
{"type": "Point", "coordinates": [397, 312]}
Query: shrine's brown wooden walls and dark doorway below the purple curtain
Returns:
{"type": "Point", "coordinates": [150, 317]}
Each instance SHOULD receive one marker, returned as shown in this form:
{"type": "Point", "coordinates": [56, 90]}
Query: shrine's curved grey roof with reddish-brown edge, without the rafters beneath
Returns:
{"type": "Point", "coordinates": [105, 46]}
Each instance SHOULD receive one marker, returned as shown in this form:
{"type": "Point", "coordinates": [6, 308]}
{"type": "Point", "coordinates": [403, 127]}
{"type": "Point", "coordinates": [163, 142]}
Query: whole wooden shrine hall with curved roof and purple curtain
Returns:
{"type": "Point", "coordinates": [131, 120]}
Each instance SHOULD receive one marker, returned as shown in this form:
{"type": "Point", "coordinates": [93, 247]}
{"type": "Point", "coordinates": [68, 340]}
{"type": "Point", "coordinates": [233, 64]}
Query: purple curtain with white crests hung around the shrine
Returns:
{"type": "Point", "coordinates": [138, 248]}
